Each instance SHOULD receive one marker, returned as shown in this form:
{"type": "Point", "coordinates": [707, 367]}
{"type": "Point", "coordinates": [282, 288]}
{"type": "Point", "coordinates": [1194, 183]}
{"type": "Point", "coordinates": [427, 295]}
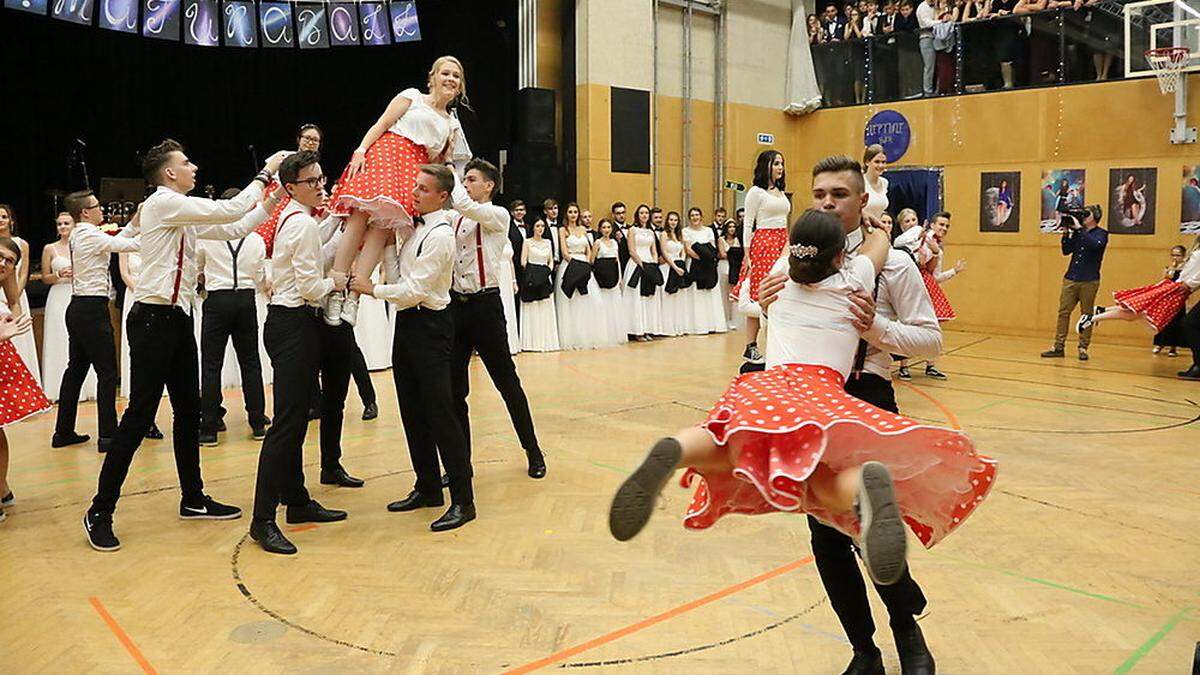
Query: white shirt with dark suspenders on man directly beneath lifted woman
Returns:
{"type": "Point", "coordinates": [424, 270]}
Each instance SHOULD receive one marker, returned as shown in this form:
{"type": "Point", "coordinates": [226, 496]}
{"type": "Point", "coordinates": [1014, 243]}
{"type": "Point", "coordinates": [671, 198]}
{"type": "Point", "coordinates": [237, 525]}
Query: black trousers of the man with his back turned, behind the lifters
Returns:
{"type": "Point", "coordinates": [231, 315]}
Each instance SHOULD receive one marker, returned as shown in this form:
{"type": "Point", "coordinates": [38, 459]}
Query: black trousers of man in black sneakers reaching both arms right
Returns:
{"type": "Point", "coordinates": [163, 354]}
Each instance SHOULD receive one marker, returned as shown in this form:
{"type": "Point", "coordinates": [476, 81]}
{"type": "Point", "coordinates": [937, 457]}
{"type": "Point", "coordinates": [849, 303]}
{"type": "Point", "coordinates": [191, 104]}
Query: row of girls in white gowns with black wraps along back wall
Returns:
{"type": "Point", "coordinates": [578, 292]}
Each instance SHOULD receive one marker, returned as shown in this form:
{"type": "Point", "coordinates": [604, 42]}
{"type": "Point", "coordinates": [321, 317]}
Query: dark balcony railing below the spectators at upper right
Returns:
{"type": "Point", "coordinates": [1017, 51]}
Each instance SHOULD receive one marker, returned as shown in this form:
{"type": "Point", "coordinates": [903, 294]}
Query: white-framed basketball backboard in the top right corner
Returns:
{"type": "Point", "coordinates": [1151, 25]}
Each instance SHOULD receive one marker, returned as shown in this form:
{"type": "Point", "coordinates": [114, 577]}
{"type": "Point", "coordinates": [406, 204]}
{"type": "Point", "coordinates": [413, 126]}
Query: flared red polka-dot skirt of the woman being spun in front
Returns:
{"type": "Point", "coordinates": [787, 421]}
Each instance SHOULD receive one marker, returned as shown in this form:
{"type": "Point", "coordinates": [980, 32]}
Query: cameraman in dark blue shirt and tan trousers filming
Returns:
{"type": "Point", "coordinates": [1085, 244]}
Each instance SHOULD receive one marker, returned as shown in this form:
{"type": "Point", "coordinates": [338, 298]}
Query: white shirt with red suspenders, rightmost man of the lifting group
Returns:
{"type": "Point", "coordinates": [482, 232]}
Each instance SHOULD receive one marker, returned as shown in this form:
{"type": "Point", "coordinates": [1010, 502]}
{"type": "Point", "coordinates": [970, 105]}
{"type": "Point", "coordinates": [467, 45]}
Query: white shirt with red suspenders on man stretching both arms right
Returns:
{"type": "Point", "coordinates": [171, 224]}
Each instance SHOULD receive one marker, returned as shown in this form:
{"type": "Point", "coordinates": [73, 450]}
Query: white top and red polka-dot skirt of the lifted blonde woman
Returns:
{"type": "Point", "coordinates": [385, 186]}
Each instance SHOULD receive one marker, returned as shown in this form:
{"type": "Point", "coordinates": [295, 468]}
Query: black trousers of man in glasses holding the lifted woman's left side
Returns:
{"type": "Point", "coordinates": [292, 337]}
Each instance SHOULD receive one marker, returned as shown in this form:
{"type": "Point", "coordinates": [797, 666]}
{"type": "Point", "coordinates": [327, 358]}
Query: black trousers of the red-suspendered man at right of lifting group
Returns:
{"type": "Point", "coordinates": [479, 326]}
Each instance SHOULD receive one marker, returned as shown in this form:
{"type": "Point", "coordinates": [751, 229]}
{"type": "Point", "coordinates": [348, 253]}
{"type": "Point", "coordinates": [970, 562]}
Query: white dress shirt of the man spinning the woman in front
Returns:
{"type": "Point", "coordinates": [905, 322]}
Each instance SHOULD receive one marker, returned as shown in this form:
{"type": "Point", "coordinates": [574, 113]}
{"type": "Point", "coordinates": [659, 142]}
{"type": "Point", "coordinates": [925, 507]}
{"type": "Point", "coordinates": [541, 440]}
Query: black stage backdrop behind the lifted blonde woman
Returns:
{"type": "Point", "coordinates": [122, 93]}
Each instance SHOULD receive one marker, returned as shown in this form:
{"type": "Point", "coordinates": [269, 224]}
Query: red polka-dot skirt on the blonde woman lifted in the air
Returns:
{"type": "Point", "coordinates": [385, 187]}
